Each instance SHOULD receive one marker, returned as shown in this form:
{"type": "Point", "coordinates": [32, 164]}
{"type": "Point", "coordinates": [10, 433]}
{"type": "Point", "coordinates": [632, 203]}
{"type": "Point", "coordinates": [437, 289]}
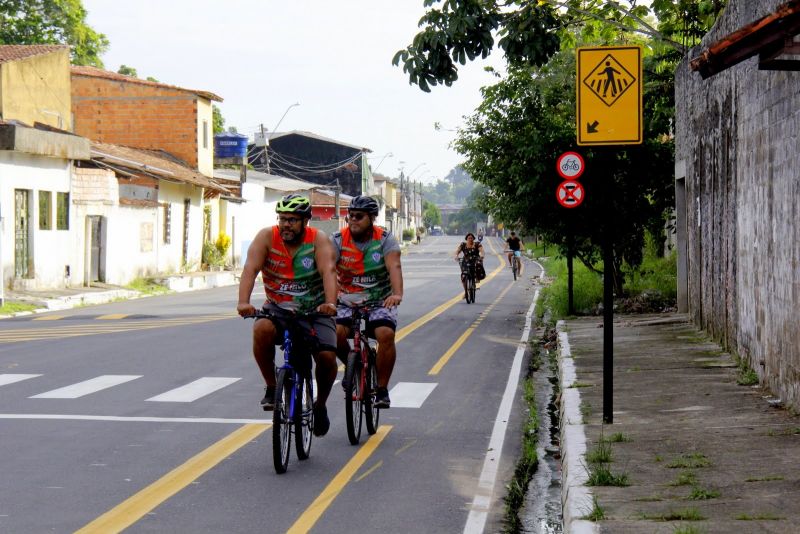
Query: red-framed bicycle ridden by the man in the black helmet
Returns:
{"type": "Point", "coordinates": [360, 379]}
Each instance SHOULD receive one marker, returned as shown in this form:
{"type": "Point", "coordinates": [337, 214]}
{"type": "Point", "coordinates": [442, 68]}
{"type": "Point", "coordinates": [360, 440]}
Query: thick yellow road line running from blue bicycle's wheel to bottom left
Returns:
{"type": "Point", "coordinates": [131, 510]}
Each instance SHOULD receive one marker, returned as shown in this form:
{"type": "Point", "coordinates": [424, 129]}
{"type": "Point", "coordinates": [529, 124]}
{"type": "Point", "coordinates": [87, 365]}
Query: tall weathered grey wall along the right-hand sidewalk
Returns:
{"type": "Point", "coordinates": [737, 136]}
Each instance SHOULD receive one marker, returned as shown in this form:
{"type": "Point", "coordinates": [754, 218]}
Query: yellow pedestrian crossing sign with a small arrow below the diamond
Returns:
{"type": "Point", "coordinates": [609, 95]}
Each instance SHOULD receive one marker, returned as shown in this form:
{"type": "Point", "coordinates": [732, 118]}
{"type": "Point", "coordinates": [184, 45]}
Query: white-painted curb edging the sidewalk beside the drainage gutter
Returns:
{"type": "Point", "coordinates": [576, 497]}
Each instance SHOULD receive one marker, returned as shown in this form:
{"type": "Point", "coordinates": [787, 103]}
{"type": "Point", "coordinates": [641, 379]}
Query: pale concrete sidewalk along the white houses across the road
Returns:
{"type": "Point", "coordinates": [98, 293]}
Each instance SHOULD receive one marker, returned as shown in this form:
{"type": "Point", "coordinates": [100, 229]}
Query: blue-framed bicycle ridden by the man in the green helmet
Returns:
{"type": "Point", "coordinates": [294, 395]}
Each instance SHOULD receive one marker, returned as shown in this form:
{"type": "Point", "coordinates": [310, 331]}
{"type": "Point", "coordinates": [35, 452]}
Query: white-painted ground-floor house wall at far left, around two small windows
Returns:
{"type": "Point", "coordinates": [51, 249]}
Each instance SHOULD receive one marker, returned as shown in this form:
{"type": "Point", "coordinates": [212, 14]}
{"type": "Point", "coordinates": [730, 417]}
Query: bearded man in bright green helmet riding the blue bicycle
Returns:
{"type": "Point", "coordinates": [299, 275]}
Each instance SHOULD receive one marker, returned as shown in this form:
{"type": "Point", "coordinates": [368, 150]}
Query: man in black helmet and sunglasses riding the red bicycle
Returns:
{"type": "Point", "coordinates": [369, 271]}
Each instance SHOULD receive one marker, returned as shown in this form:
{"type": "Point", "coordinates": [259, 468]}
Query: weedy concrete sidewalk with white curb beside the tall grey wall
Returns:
{"type": "Point", "coordinates": [698, 452]}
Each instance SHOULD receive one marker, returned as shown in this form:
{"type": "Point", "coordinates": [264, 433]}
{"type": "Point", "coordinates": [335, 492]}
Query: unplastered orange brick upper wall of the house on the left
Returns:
{"type": "Point", "coordinates": [136, 115]}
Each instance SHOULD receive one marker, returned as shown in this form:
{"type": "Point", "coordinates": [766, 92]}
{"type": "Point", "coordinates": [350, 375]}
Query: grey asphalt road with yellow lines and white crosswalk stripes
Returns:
{"type": "Point", "coordinates": [143, 415]}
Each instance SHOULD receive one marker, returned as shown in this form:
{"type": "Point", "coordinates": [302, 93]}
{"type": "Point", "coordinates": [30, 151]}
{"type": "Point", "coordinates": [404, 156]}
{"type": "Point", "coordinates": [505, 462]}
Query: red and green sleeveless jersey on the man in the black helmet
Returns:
{"type": "Point", "coordinates": [362, 274]}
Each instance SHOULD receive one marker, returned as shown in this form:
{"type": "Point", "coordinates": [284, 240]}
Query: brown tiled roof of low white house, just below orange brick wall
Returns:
{"type": "Point", "coordinates": [142, 161]}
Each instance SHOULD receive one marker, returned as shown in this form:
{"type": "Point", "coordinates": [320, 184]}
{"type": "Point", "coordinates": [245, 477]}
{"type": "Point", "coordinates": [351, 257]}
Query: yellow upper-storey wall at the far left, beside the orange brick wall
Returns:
{"type": "Point", "coordinates": [37, 89]}
